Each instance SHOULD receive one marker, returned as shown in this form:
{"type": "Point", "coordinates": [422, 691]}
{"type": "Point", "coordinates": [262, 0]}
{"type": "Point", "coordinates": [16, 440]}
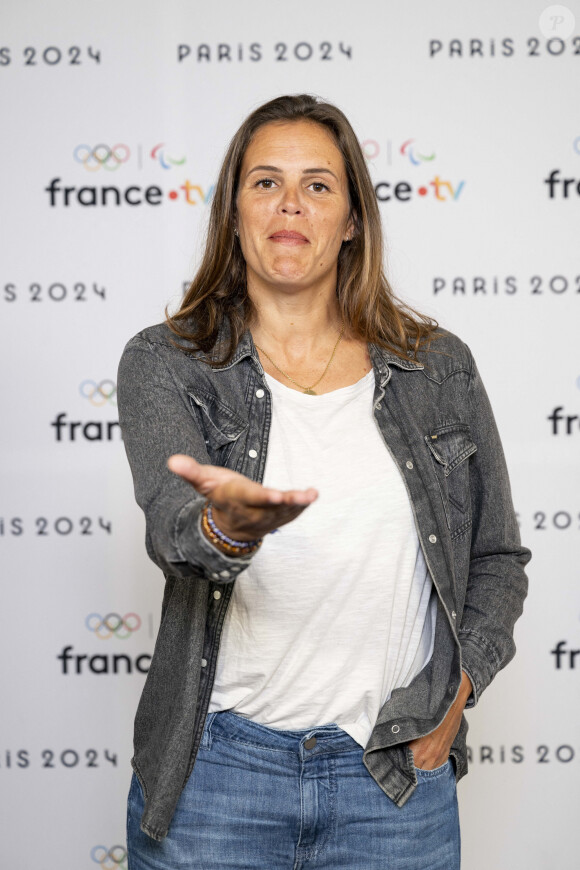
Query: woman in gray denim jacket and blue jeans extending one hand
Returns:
{"type": "Point", "coordinates": [292, 393]}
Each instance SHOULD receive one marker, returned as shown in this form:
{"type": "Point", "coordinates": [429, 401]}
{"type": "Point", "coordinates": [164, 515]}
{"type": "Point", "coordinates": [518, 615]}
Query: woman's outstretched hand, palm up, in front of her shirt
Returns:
{"type": "Point", "coordinates": [242, 509]}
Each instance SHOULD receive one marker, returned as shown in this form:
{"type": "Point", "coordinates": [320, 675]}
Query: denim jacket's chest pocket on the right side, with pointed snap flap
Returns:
{"type": "Point", "coordinates": [450, 446]}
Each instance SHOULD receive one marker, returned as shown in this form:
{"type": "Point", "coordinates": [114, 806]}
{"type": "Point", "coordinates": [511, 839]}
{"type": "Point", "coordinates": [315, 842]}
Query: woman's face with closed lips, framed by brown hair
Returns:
{"type": "Point", "coordinates": [293, 210]}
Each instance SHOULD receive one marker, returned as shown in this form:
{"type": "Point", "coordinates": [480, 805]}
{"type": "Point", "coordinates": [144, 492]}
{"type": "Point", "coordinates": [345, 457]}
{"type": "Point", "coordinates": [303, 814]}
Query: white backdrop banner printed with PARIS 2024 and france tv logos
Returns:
{"type": "Point", "coordinates": [115, 118]}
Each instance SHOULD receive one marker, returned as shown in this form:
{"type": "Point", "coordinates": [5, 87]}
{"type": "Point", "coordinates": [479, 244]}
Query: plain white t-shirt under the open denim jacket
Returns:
{"type": "Point", "coordinates": [336, 609]}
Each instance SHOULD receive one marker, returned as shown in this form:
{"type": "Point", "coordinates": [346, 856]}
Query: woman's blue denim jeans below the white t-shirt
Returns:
{"type": "Point", "coordinates": [261, 799]}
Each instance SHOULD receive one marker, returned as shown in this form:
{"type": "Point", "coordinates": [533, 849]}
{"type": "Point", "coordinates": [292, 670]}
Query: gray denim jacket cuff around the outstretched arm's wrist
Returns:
{"type": "Point", "coordinates": [193, 546]}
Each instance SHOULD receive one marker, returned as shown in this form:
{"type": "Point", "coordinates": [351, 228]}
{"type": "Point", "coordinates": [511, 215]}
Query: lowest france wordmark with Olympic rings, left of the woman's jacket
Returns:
{"type": "Point", "coordinates": [107, 627]}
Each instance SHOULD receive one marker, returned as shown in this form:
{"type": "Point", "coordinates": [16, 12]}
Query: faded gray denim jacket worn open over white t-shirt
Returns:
{"type": "Point", "coordinates": [436, 422]}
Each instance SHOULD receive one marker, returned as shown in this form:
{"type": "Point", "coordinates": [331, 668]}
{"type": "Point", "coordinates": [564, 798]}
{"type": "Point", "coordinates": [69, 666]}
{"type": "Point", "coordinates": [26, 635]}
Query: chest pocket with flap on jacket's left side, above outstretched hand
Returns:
{"type": "Point", "coordinates": [221, 427]}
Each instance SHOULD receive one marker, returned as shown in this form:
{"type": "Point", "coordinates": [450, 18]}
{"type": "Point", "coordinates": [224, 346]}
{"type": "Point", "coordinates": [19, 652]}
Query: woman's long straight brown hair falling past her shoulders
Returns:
{"type": "Point", "coordinates": [218, 296]}
